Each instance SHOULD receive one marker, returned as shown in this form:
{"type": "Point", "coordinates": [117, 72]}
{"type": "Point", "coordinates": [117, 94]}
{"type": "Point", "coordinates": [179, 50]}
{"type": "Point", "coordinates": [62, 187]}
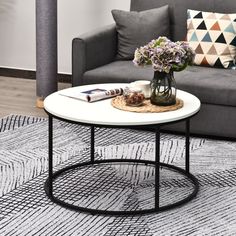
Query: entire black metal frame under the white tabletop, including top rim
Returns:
{"type": "Point", "coordinates": [157, 164]}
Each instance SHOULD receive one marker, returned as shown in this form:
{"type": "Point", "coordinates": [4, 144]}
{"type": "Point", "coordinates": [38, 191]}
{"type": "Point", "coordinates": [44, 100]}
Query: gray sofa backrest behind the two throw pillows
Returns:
{"type": "Point", "coordinates": [178, 11]}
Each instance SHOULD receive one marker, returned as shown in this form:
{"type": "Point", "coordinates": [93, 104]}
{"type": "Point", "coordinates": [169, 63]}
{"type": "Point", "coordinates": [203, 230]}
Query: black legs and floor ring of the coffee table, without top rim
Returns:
{"type": "Point", "coordinates": [157, 164]}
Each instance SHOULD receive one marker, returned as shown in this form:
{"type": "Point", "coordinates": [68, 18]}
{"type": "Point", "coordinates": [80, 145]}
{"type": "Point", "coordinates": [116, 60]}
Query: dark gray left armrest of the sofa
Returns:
{"type": "Point", "coordinates": [92, 50]}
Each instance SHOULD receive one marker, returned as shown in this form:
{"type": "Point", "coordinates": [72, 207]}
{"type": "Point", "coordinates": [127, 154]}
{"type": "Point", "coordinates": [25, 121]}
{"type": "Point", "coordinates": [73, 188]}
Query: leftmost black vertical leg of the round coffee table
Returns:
{"type": "Point", "coordinates": [50, 155]}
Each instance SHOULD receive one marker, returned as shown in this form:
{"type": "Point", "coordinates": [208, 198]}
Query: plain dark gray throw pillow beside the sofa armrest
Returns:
{"type": "Point", "coordinates": [136, 29]}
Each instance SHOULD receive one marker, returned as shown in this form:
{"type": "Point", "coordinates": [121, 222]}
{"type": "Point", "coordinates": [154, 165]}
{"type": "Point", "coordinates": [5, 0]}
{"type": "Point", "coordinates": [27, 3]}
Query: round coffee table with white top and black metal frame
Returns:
{"type": "Point", "coordinates": [102, 114]}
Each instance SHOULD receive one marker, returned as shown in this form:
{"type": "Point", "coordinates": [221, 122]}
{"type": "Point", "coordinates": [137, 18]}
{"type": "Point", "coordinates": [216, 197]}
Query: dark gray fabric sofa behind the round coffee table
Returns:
{"type": "Point", "coordinates": [93, 61]}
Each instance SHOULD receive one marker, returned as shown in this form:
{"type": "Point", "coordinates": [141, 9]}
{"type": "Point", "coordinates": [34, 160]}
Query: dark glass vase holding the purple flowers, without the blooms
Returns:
{"type": "Point", "coordinates": [163, 89]}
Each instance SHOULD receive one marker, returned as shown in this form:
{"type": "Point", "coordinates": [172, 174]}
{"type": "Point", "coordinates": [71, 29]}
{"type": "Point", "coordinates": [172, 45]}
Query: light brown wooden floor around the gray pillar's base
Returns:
{"type": "Point", "coordinates": [18, 96]}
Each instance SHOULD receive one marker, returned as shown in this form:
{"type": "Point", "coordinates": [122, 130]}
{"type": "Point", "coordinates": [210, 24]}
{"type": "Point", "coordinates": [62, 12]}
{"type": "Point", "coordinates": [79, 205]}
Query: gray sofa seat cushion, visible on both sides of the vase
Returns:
{"type": "Point", "coordinates": [210, 85]}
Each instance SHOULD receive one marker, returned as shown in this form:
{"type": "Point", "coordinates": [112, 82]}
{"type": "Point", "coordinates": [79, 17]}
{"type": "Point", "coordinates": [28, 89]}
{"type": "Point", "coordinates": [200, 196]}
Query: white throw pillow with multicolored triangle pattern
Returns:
{"type": "Point", "coordinates": [213, 37]}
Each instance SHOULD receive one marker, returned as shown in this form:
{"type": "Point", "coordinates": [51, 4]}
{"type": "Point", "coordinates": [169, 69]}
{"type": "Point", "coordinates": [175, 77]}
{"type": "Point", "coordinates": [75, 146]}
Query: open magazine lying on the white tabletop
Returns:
{"type": "Point", "coordinates": [93, 94]}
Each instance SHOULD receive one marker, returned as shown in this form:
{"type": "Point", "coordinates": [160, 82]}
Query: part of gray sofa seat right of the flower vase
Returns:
{"type": "Point", "coordinates": [210, 85]}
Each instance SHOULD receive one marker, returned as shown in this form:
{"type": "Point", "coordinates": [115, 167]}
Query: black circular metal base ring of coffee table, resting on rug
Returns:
{"type": "Point", "coordinates": [56, 200]}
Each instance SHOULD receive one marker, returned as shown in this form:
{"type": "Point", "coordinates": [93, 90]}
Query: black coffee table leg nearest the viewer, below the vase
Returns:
{"type": "Point", "coordinates": [157, 168]}
